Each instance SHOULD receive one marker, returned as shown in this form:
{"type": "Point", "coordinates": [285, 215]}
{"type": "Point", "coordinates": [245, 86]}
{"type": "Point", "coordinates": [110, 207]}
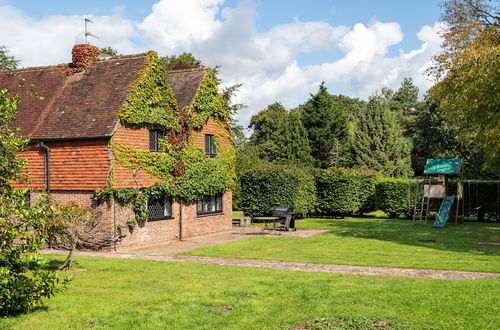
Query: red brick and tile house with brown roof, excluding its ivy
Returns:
{"type": "Point", "coordinates": [74, 128]}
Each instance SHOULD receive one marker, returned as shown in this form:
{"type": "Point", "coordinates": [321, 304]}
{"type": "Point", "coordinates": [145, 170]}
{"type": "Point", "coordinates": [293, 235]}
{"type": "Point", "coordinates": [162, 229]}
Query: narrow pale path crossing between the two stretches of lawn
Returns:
{"type": "Point", "coordinates": [298, 266]}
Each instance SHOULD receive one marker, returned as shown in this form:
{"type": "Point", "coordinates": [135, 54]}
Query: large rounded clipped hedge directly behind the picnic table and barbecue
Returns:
{"type": "Point", "coordinates": [270, 185]}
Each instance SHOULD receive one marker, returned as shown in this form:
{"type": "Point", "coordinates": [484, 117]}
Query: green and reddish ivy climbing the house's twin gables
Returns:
{"type": "Point", "coordinates": [186, 171]}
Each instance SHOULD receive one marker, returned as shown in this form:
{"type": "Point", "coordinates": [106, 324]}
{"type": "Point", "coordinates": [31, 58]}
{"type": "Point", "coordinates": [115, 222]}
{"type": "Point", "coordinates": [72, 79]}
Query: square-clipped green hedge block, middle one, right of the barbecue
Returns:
{"type": "Point", "coordinates": [344, 192]}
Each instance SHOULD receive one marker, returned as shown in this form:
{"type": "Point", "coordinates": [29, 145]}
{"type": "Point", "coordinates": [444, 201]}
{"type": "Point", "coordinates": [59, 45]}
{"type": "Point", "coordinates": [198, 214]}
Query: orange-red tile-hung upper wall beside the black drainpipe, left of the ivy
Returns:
{"type": "Point", "coordinates": [74, 165]}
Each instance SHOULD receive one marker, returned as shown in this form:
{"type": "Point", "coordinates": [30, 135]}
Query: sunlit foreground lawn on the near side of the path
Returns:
{"type": "Point", "coordinates": [124, 294]}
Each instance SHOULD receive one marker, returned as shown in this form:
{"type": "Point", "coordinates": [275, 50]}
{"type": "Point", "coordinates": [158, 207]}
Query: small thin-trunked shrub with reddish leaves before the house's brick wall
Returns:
{"type": "Point", "coordinates": [66, 224]}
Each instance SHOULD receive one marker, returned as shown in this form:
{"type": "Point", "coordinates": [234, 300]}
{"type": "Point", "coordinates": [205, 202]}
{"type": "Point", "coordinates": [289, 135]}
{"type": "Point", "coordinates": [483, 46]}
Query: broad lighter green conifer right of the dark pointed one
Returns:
{"type": "Point", "coordinates": [378, 142]}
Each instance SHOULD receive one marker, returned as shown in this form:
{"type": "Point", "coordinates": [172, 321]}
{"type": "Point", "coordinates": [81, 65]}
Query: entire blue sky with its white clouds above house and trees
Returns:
{"type": "Point", "coordinates": [281, 50]}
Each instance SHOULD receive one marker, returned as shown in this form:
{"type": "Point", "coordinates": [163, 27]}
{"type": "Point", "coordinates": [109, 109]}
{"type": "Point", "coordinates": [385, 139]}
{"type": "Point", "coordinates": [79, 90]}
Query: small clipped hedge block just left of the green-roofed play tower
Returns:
{"type": "Point", "coordinates": [391, 196]}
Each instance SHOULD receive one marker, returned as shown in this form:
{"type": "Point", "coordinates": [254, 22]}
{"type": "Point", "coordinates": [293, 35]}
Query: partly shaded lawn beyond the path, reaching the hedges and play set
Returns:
{"type": "Point", "coordinates": [376, 242]}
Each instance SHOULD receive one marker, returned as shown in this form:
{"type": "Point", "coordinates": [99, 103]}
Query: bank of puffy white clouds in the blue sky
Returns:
{"type": "Point", "coordinates": [265, 62]}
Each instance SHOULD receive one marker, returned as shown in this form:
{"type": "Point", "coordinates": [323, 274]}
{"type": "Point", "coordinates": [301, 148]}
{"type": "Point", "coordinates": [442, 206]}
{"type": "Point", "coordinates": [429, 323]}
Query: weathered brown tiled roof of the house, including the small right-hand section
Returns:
{"type": "Point", "coordinates": [84, 105]}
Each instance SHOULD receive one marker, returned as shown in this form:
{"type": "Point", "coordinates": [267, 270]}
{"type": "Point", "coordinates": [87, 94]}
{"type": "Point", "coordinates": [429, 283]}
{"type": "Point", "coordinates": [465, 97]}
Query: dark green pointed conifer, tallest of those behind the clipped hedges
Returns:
{"type": "Point", "coordinates": [326, 125]}
